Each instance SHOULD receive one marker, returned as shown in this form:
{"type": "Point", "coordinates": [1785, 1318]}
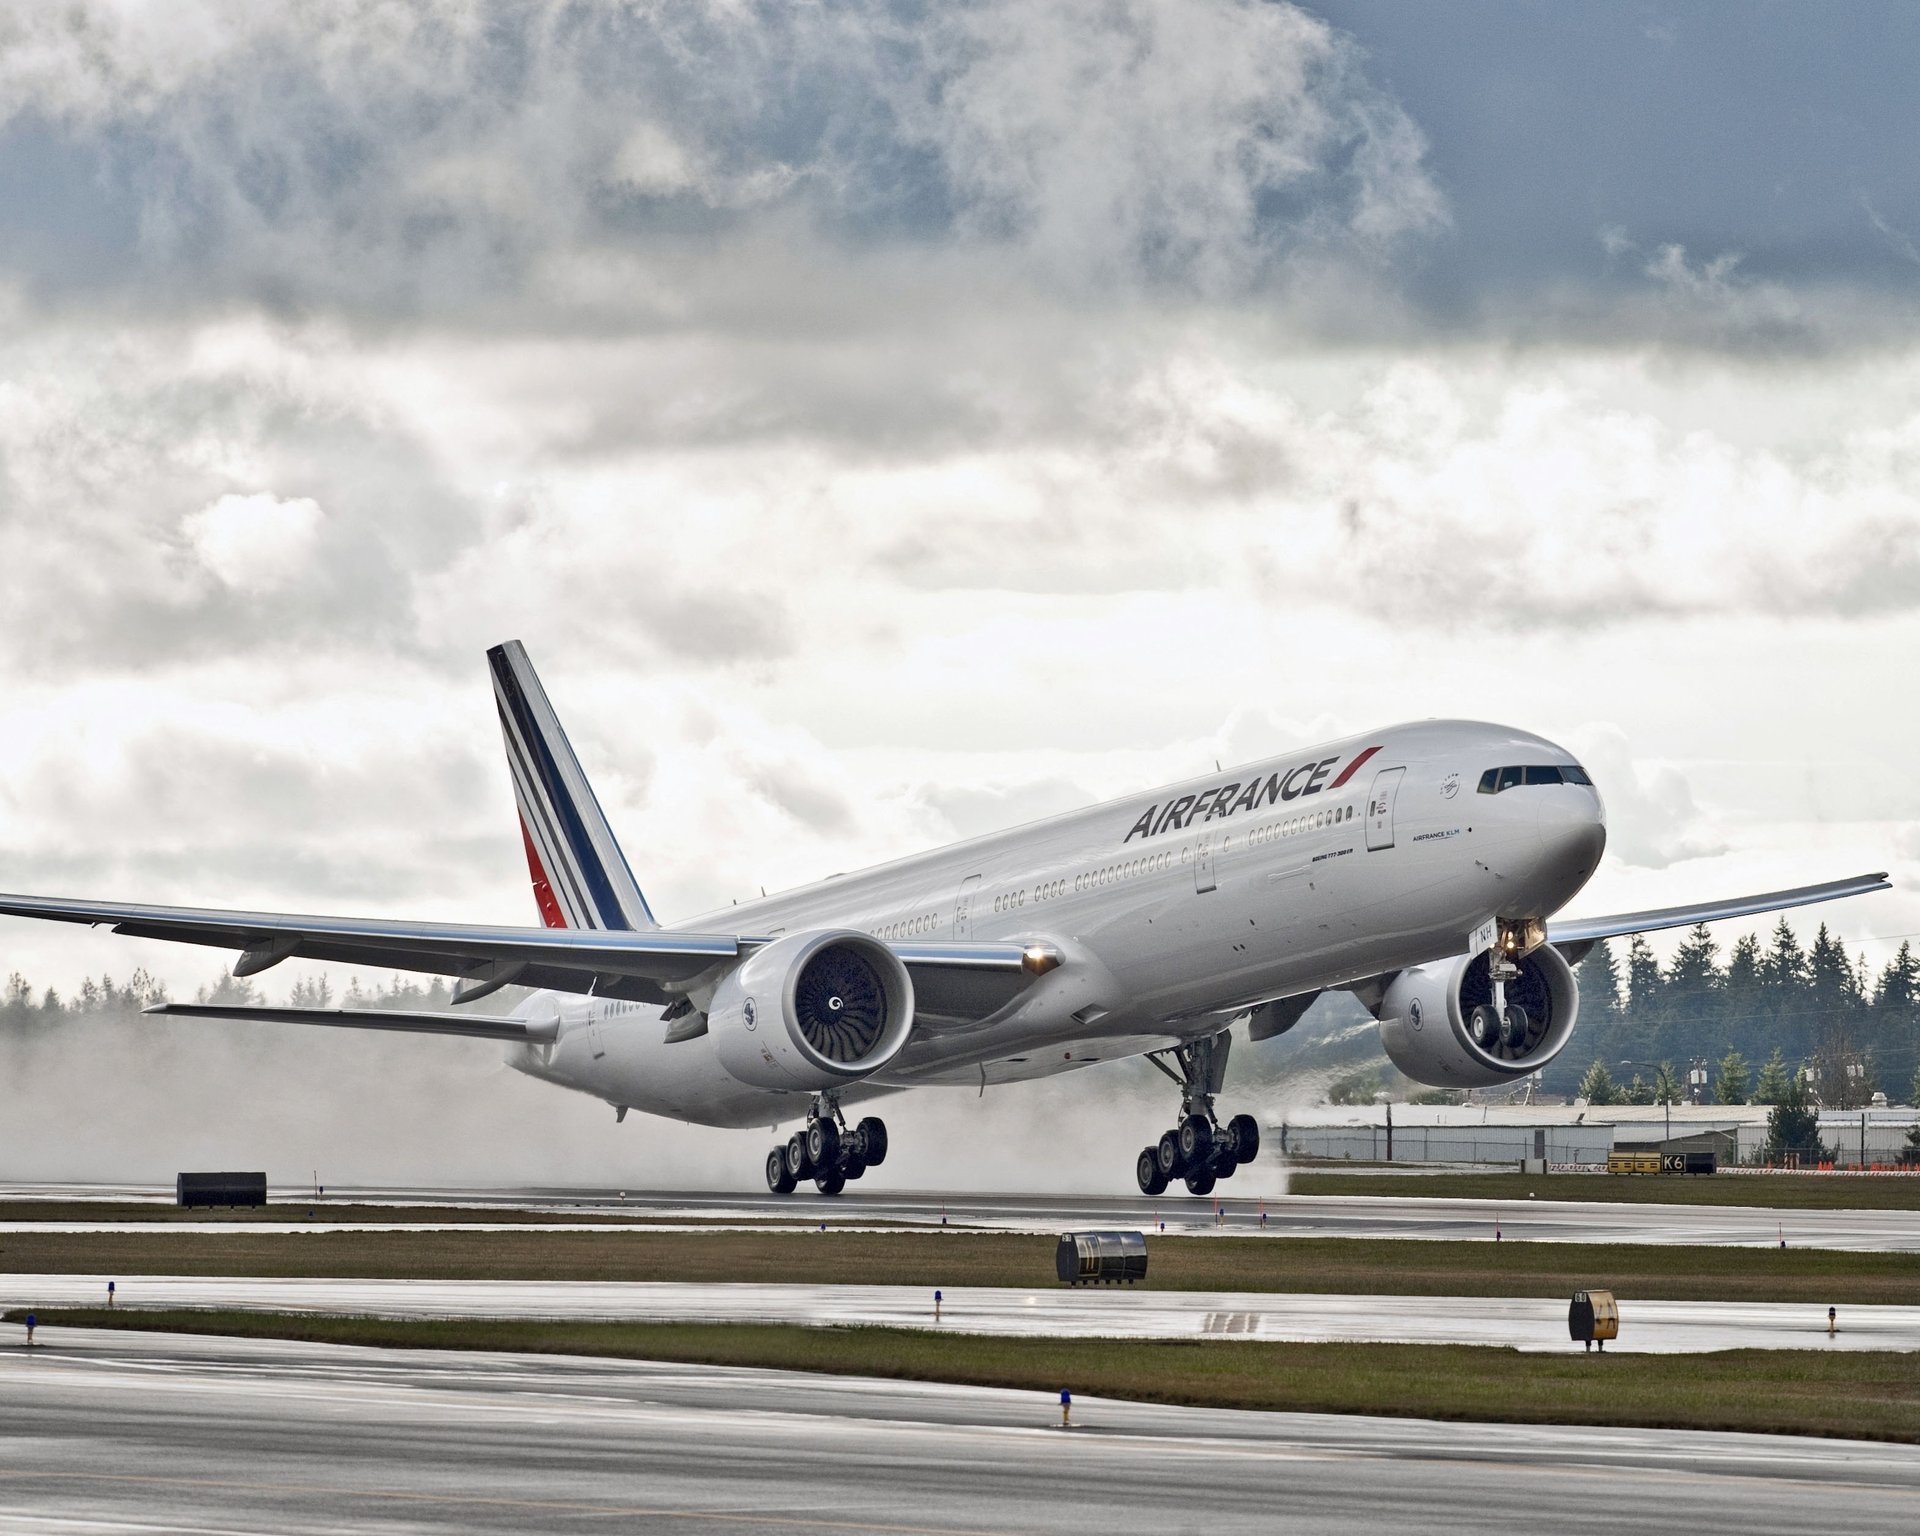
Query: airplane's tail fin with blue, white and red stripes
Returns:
{"type": "Point", "coordinates": [581, 876]}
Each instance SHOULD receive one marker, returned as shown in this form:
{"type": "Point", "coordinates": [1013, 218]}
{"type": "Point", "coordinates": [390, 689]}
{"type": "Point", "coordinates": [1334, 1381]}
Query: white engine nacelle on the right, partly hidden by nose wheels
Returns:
{"type": "Point", "coordinates": [1428, 1020]}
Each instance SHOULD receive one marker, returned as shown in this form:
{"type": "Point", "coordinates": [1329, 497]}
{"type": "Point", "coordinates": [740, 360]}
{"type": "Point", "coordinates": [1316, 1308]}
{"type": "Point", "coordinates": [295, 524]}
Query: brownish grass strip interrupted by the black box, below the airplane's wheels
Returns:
{"type": "Point", "coordinates": [1374, 1266]}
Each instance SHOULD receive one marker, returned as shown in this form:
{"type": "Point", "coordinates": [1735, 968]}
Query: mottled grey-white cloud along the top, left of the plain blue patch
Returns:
{"type": "Point", "coordinates": [452, 160]}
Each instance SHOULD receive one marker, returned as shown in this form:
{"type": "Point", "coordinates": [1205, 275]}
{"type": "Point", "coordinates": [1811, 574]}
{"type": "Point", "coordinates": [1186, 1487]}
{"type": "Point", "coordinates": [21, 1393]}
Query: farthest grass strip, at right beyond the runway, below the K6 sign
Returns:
{"type": "Point", "coordinates": [1783, 1191]}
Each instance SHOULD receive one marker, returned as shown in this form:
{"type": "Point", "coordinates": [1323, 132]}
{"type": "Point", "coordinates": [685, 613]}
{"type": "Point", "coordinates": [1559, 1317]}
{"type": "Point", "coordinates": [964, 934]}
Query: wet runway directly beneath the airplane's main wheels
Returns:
{"type": "Point", "coordinates": [1182, 1216]}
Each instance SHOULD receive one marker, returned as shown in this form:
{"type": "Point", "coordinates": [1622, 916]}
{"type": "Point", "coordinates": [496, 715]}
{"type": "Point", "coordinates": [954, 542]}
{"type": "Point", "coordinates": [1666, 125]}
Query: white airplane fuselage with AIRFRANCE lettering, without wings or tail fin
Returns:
{"type": "Point", "coordinates": [1176, 909]}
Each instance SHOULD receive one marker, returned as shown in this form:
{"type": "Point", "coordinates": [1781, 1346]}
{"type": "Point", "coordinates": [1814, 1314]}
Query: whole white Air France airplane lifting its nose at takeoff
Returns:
{"type": "Point", "coordinates": [1420, 869]}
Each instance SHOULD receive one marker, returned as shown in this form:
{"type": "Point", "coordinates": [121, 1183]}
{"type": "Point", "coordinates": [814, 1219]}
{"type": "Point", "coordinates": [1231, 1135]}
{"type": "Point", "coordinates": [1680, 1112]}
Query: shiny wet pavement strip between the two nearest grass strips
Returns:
{"type": "Point", "coordinates": [1522, 1324]}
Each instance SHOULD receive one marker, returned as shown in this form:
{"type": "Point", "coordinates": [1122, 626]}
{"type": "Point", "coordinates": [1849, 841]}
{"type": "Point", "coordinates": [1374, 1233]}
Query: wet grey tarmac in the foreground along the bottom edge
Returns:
{"type": "Point", "coordinates": [120, 1433]}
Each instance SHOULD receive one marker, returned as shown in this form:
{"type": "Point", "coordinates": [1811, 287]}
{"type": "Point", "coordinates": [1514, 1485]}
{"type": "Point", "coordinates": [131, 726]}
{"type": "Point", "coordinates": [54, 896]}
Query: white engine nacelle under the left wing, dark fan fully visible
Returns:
{"type": "Point", "coordinates": [813, 1011]}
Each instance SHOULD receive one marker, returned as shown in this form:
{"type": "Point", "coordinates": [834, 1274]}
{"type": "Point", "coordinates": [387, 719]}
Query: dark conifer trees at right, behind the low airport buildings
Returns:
{"type": "Point", "coordinates": [1773, 1022]}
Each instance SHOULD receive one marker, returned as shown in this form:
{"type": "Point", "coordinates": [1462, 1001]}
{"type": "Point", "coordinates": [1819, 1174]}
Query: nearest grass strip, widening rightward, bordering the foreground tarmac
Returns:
{"type": "Point", "coordinates": [1869, 1397]}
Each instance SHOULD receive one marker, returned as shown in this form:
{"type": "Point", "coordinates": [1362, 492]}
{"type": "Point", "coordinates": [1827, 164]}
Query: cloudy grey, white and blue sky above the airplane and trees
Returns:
{"type": "Point", "coordinates": [884, 423]}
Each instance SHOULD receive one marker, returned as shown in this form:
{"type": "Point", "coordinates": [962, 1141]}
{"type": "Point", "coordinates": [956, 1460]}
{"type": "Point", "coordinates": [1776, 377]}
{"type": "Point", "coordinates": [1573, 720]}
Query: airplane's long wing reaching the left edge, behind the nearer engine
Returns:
{"type": "Point", "coordinates": [629, 965]}
